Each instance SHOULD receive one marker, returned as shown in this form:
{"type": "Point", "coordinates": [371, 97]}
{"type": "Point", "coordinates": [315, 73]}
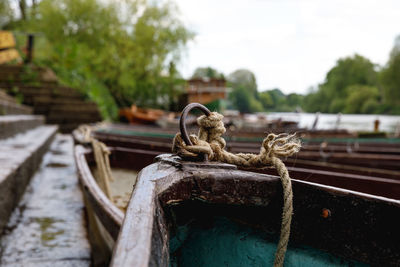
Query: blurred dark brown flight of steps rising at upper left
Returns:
{"type": "Point", "coordinates": [60, 104]}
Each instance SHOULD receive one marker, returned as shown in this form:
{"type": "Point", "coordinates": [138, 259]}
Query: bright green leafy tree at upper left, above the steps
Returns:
{"type": "Point", "coordinates": [118, 53]}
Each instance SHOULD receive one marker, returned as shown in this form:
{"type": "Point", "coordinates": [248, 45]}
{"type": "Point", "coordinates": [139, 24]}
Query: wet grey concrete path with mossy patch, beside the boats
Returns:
{"type": "Point", "coordinates": [48, 227]}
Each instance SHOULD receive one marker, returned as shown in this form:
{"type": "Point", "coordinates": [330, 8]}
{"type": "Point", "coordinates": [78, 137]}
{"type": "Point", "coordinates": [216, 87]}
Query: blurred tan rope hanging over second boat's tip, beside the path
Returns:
{"type": "Point", "coordinates": [101, 156]}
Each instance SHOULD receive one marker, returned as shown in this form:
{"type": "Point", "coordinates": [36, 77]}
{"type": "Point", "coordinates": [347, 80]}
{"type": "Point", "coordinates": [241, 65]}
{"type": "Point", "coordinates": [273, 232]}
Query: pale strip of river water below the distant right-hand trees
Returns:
{"type": "Point", "coordinates": [352, 122]}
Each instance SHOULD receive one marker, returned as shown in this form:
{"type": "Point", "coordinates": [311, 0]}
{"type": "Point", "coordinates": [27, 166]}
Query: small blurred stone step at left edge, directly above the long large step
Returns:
{"type": "Point", "coordinates": [13, 124]}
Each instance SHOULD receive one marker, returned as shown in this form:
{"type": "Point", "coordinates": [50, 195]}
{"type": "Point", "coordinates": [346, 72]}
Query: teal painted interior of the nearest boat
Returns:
{"type": "Point", "coordinates": [228, 243]}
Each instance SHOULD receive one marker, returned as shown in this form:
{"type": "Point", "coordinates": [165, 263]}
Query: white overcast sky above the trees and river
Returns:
{"type": "Point", "coordinates": [288, 44]}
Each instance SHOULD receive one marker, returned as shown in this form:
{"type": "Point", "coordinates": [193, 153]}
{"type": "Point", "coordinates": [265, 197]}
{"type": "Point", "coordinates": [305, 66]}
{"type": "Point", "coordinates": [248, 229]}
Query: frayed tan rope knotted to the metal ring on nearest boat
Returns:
{"type": "Point", "coordinates": [210, 143]}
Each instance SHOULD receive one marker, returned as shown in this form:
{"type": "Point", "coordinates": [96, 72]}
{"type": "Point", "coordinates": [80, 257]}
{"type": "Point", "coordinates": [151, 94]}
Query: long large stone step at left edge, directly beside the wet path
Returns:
{"type": "Point", "coordinates": [20, 156]}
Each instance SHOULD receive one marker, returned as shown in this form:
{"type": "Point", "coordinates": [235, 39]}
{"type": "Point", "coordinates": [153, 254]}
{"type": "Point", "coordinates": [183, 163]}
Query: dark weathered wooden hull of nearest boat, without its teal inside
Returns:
{"type": "Point", "coordinates": [357, 228]}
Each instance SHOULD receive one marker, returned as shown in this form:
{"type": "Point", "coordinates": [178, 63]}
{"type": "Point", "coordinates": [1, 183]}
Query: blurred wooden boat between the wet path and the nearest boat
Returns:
{"type": "Point", "coordinates": [105, 216]}
